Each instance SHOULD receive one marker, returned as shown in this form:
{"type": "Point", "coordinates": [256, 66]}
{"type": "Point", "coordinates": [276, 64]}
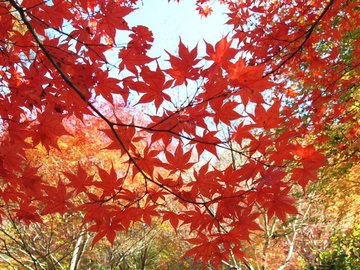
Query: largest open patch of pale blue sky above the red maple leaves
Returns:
{"type": "Point", "coordinates": [169, 21]}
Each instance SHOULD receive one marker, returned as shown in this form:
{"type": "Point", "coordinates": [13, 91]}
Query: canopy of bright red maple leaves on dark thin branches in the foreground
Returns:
{"type": "Point", "coordinates": [205, 142]}
